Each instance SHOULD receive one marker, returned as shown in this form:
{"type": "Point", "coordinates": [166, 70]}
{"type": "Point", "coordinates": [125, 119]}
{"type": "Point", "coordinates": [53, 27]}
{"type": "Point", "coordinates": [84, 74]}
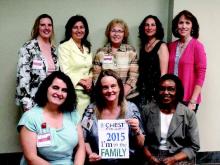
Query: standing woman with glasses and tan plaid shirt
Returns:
{"type": "Point", "coordinates": [118, 56]}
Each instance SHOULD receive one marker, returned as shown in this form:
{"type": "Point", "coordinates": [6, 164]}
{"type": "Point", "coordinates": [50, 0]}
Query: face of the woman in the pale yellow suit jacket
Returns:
{"type": "Point", "coordinates": [78, 31]}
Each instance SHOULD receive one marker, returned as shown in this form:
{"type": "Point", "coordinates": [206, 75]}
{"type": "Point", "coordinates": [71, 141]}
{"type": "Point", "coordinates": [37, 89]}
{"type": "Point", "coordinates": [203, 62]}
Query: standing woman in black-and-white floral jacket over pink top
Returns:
{"type": "Point", "coordinates": [37, 59]}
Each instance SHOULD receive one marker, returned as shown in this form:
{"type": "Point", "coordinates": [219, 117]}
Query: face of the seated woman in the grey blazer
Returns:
{"type": "Point", "coordinates": [167, 92]}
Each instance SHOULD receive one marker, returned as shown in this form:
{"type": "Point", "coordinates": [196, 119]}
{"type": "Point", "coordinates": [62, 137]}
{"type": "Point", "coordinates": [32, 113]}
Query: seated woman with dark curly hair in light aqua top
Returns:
{"type": "Point", "coordinates": [51, 131]}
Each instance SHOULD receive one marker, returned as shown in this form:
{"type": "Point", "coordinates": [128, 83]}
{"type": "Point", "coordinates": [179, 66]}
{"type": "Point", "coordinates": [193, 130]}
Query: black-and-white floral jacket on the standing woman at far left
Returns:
{"type": "Point", "coordinates": [32, 69]}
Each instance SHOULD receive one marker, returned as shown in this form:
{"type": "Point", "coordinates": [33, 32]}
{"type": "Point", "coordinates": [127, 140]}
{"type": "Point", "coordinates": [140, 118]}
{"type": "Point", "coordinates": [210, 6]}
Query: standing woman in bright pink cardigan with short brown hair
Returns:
{"type": "Point", "coordinates": [187, 57]}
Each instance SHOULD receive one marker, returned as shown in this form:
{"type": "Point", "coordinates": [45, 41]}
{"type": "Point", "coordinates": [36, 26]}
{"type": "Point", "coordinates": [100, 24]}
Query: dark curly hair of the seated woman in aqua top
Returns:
{"type": "Point", "coordinates": [41, 96]}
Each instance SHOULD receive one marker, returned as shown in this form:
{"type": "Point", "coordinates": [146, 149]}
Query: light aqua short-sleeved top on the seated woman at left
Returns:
{"type": "Point", "coordinates": [64, 140]}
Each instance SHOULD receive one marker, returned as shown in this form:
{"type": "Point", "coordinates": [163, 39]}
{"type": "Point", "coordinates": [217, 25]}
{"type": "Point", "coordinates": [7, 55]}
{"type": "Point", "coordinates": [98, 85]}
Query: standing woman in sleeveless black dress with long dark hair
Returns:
{"type": "Point", "coordinates": [154, 56]}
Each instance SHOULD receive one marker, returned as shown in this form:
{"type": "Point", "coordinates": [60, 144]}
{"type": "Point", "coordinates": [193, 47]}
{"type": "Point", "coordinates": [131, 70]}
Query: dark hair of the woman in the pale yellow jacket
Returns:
{"type": "Point", "coordinates": [69, 25]}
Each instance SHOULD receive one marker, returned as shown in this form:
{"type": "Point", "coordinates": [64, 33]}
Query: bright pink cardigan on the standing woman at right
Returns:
{"type": "Point", "coordinates": [191, 68]}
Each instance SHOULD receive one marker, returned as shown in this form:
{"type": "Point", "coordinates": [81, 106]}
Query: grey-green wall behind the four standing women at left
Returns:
{"type": "Point", "coordinates": [16, 19]}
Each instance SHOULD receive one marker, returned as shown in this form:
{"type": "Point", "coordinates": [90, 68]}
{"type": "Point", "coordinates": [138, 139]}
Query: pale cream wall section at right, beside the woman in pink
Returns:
{"type": "Point", "coordinates": [207, 13]}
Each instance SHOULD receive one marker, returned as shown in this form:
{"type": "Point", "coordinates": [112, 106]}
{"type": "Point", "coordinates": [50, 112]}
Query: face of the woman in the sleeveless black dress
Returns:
{"type": "Point", "coordinates": [150, 27]}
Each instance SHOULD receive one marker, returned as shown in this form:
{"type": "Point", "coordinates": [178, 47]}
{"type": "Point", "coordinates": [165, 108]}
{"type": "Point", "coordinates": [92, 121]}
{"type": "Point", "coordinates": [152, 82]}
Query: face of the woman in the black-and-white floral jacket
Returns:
{"type": "Point", "coordinates": [45, 28]}
